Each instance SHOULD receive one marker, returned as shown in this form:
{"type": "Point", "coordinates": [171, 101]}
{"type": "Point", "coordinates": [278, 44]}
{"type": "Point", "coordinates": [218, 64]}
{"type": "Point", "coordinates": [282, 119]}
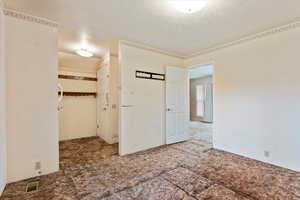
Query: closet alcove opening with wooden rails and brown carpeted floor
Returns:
{"type": "Point", "coordinates": [88, 108]}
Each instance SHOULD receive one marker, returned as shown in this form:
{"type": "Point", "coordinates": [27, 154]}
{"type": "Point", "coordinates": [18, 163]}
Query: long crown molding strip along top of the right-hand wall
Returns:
{"type": "Point", "coordinates": [253, 37]}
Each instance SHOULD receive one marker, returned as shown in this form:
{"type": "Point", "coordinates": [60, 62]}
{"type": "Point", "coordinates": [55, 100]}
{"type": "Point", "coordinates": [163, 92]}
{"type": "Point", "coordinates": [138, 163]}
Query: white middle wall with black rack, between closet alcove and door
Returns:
{"type": "Point", "coordinates": [142, 126]}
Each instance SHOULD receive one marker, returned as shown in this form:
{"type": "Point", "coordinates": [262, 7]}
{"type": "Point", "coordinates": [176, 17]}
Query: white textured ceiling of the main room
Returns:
{"type": "Point", "coordinates": [159, 25]}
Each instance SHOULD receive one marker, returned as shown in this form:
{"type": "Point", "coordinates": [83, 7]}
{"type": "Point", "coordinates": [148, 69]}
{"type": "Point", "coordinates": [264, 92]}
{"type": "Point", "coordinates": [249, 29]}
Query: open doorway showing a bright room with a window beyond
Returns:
{"type": "Point", "coordinates": [201, 102]}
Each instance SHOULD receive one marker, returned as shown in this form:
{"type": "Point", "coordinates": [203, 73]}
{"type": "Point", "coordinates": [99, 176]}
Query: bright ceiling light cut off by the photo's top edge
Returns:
{"type": "Point", "coordinates": [189, 6]}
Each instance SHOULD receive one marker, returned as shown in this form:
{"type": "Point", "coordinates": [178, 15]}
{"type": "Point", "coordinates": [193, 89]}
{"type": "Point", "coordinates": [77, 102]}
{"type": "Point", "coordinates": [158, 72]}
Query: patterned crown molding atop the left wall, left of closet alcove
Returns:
{"type": "Point", "coordinates": [29, 18]}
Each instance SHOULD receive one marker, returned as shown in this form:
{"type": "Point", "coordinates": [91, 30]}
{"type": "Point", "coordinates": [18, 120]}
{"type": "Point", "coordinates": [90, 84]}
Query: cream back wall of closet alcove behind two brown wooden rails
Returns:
{"type": "Point", "coordinates": [78, 117]}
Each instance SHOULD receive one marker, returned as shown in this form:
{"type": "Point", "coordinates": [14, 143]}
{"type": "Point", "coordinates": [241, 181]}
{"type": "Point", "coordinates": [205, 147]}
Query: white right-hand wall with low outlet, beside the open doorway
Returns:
{"type": "Point", "coordinates": [257, 95]}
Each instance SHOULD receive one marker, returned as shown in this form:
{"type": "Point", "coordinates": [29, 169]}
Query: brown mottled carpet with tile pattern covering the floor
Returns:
{"type": "Point", "coordinates": [92, 170]}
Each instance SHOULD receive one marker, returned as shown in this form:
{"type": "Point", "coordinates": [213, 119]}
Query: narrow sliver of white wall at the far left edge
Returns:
{"type": "Point", "coordinates": [2, 107]}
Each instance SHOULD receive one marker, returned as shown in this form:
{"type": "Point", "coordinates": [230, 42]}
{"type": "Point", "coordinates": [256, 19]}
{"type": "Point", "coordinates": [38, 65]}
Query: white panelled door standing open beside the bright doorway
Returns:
{"type": "Point", "coordinates": [177, 106]}
